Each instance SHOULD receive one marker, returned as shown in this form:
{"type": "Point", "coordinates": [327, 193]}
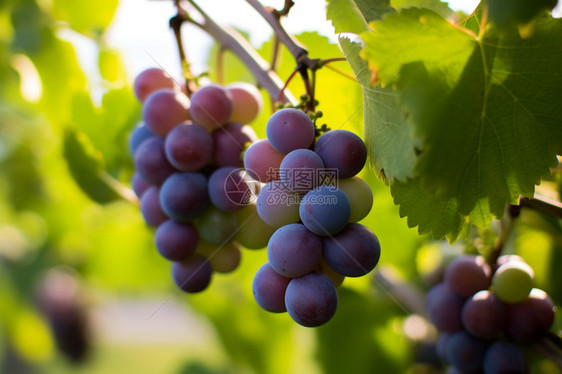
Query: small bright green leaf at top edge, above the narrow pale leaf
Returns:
{"type": "Point", "coordinates": [354, 15]}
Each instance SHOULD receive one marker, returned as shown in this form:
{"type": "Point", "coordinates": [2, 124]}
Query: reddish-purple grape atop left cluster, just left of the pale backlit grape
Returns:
{"type": "Point", "coordinates": [211, 106]}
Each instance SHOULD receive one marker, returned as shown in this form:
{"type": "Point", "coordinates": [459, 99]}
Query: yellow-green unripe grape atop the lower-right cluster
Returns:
{"type": "Point", "coordinates": [513, 281]}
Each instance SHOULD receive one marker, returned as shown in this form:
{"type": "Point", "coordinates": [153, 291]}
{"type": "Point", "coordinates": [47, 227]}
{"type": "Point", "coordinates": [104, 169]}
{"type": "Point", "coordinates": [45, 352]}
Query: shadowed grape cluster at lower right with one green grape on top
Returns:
{"type": "Point", "coordinates": [485, 318]}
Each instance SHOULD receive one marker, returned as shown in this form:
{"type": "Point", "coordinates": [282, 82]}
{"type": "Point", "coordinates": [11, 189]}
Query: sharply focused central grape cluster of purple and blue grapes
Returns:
{"type": "Point", "coordinates": [313, 199]}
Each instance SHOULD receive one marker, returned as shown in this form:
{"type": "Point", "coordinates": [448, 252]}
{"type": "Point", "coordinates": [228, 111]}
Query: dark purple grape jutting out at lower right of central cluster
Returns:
{"type": "Point", "coordinates": [353, 252]}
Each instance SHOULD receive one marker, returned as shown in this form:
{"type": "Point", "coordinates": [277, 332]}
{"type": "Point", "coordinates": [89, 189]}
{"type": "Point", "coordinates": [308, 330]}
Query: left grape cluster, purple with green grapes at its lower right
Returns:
{"type": "Point", "coordinates": [188, 159]}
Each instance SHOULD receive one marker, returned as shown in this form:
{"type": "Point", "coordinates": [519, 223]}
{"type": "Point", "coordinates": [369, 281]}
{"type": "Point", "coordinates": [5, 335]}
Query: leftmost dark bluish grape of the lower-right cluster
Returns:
{"type": "Point", "coordinates": [444, 308]}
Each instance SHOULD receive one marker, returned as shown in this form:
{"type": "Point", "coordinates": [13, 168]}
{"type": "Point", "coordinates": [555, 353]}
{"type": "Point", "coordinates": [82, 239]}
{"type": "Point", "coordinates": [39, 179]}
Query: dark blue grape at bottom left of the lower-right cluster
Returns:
{"type": "Point", "coordinates": [465, 352]}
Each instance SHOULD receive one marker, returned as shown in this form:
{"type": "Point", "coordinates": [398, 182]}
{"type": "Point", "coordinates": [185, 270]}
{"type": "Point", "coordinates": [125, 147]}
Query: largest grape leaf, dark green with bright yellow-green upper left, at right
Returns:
{"type": "Point", "coordinates": [488, 110]}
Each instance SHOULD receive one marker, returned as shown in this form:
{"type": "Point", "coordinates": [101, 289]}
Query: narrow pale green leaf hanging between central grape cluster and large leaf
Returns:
{"type": "Point", "coordinates": [388, 136]}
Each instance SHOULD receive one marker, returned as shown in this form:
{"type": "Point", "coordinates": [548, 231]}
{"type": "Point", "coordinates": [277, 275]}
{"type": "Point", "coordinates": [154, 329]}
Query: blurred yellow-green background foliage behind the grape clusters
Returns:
{"type": "Point", "coordinates": [82, 288]}
